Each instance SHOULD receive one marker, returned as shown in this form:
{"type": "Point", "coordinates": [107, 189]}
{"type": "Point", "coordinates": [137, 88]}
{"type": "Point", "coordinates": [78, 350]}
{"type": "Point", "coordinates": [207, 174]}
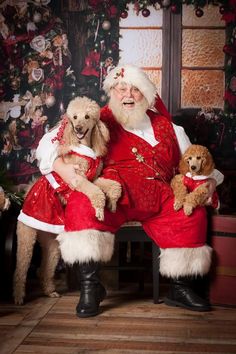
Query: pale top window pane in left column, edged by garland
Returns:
{"type": "Point", "coordinates": [155, 18]}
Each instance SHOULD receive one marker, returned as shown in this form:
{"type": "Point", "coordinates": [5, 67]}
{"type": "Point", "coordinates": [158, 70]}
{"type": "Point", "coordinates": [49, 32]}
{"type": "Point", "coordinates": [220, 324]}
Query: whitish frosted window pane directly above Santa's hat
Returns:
{"type": "Point", "coordinates": [141, 47]}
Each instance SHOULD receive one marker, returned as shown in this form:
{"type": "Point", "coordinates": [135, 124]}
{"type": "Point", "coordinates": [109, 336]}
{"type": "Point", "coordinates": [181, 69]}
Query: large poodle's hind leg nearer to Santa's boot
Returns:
{"type": "Point", "coordinates": [49, 261]}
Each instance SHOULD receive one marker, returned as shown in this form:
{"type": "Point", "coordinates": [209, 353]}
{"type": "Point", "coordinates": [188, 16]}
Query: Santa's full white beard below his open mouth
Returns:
{"type": "Point", "coordinates": [130, 119]}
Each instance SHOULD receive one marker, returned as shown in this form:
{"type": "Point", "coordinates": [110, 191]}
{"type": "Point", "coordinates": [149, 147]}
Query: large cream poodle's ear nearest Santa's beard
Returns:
{"type": "Point", "coordinates": [100, 138]}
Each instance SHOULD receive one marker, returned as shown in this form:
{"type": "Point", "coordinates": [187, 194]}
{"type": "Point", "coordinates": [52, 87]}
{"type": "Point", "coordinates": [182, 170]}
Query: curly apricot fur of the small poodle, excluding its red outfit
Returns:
{"type": "Point", "coordinates": [197, 161]}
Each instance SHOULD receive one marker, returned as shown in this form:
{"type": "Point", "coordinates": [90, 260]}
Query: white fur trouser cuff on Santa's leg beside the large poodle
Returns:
{"type": "Point", "coordinates": [87, 245]}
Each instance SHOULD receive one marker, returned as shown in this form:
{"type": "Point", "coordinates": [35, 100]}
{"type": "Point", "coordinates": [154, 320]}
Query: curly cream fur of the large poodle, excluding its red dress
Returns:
{"type": "Point", "coordinates": [82, 126]}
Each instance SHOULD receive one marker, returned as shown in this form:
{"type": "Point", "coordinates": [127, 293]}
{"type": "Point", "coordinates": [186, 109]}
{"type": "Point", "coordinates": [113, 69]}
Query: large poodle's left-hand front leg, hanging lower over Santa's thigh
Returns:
{"type": "Point", "coordinates": [94, 193]}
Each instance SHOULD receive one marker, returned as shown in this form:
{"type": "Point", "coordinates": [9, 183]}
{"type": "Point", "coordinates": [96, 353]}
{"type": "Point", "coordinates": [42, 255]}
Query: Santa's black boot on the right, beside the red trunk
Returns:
{"type": "Point", "coordinates": [182, 295]}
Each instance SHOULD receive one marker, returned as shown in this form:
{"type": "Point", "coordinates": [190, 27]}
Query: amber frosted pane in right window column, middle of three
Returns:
{"type": "Point", "coordinates": [203, 47]}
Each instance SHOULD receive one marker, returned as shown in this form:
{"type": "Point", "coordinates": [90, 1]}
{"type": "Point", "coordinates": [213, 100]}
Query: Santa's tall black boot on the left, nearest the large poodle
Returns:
{"type": "Point", "coordinates": [92, 292]}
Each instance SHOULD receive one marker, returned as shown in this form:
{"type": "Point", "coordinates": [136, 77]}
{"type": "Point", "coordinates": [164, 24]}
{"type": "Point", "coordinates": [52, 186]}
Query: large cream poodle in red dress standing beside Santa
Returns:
{"type": "Point", "coordinates": [81, 130]}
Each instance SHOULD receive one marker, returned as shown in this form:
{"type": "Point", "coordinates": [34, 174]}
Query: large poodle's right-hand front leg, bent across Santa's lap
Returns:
{"type": "Point", "coordinates": [112, 190]}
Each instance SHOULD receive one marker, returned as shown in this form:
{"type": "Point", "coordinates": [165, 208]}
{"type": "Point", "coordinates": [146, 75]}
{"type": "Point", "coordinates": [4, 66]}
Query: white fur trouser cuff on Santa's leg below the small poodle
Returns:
{"type": "Point", "coordinates": [180, 262]}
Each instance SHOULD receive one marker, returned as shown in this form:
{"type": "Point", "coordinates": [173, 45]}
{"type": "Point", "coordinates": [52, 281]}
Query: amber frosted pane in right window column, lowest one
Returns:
{"type": "Point", "coordinates": [202, 88]}
